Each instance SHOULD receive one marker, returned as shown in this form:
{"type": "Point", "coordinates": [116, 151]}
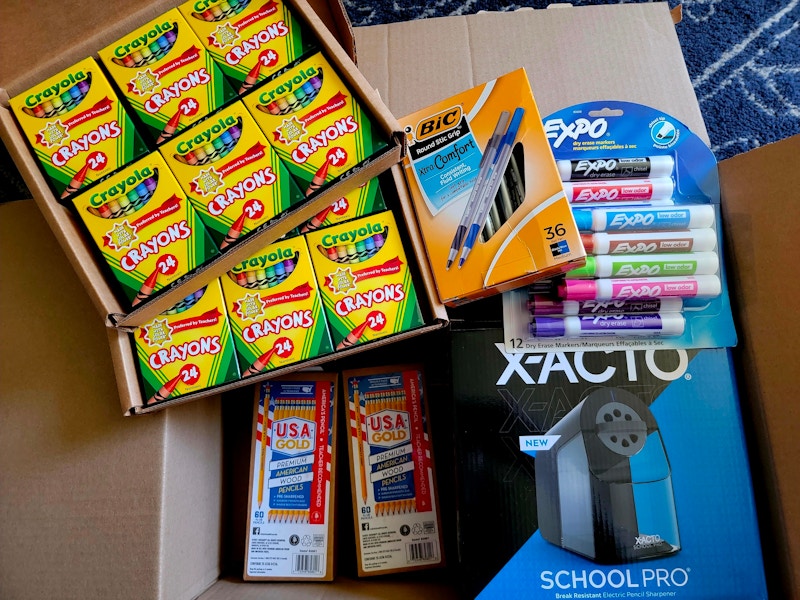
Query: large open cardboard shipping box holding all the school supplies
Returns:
{"type": "Point", "coordinates": [152, 516]}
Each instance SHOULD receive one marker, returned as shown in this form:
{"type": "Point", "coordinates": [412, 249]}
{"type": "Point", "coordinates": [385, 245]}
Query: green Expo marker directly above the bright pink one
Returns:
{"type": "Point", "coordinates": [647, 265]}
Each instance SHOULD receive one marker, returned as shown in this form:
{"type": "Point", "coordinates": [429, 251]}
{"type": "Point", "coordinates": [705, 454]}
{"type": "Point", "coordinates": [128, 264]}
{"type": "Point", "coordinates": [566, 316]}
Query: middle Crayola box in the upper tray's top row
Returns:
{"type": "Point", "coordinates": [167, 76]}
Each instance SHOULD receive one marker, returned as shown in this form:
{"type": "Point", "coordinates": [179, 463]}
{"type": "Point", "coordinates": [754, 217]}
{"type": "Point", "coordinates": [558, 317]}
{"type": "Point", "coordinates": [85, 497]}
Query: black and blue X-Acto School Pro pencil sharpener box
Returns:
{"type": "Point", "coordinates": [613, 474]}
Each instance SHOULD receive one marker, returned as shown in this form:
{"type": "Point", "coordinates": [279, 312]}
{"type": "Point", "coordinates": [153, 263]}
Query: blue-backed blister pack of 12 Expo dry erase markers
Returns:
{"type": "Point", "coordinates": [644, 193]}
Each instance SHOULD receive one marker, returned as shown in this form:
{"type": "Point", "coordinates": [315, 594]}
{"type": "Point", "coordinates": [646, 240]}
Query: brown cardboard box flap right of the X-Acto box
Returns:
{"type": "Point", "coordinates": [761, 219]}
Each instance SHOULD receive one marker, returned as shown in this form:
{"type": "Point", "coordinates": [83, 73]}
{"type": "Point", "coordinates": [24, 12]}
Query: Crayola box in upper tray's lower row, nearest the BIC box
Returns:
{"type": "Point", "coordinates": [314, 122]}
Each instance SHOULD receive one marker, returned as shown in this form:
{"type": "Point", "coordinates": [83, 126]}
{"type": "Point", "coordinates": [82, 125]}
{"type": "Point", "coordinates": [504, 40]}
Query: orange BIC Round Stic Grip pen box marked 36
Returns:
{"type": "Point", "coordinates": [486, 191]}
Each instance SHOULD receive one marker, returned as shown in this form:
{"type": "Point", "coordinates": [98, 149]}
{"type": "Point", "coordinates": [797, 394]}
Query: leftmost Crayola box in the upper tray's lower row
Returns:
{"type": "Point", "coordinates": [147, 231]}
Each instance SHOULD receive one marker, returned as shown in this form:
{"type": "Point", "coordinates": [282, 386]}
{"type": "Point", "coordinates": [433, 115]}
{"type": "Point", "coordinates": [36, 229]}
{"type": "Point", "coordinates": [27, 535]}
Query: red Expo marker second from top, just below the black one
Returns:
{"type": "Point", "coordinates": [618, 190]}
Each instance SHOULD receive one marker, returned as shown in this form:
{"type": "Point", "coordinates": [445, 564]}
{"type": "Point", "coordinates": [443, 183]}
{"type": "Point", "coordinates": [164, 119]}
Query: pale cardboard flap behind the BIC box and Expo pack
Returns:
{"type": "Point", "coordinates": [415, 64]}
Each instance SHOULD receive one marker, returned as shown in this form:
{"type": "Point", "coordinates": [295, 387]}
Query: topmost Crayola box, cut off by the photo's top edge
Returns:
{"type": "Point", "coordinates": [250, 40]}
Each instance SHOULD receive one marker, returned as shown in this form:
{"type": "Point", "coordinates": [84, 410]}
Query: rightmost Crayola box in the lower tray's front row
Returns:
{"type": "Point", "coordinates": [364, 279]}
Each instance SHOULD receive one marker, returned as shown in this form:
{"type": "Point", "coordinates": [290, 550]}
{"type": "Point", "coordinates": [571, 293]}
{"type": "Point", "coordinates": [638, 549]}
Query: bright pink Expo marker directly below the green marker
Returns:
{"type": "Point", "coordinates": [690, 286]}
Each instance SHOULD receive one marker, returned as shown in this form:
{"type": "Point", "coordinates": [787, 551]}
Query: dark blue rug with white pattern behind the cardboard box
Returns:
{"type": "Point", "coordinates": [743, 58]}
